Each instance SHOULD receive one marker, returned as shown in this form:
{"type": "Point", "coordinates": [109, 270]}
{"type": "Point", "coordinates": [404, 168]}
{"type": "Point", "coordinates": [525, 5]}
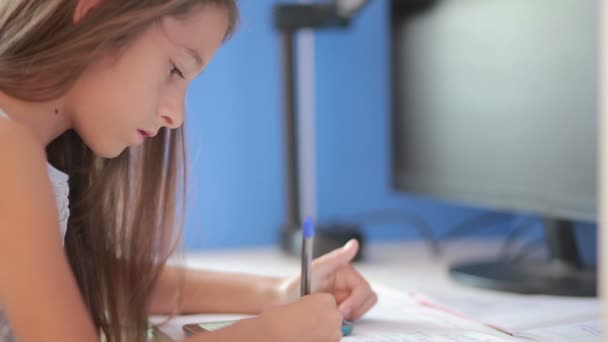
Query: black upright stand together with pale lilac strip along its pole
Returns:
{"type": "Point", "coordinates": [298, 21]}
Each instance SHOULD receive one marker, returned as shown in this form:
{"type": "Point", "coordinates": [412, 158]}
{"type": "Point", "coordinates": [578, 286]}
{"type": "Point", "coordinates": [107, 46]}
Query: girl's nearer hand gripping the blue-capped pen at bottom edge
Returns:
{"type": "Point", "coordinates": [311, 318]}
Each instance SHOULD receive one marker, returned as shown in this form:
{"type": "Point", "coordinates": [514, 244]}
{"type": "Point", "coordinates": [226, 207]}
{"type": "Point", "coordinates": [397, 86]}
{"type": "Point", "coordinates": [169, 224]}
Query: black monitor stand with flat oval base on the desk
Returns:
{"type": "Point", "coordinates": [563, 274]}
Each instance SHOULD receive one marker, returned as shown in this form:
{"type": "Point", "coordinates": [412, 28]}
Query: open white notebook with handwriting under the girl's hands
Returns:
{"type": "Point", "coordinates": [411, 317]}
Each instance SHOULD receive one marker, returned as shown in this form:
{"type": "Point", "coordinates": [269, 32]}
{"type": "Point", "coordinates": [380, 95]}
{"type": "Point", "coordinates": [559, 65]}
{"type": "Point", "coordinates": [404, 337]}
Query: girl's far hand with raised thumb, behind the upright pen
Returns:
{"type": "Point", "coordinates": [333, 273]}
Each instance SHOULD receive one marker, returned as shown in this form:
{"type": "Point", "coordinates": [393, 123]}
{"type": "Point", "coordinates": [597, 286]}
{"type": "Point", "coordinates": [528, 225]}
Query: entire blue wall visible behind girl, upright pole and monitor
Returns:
{"type": "Point", "coordinates": [234, 126]}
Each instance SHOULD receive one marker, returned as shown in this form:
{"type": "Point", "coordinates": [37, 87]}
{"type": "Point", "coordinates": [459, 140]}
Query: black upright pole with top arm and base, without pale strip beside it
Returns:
{"type": "Point", "coordinates": [289, 18]}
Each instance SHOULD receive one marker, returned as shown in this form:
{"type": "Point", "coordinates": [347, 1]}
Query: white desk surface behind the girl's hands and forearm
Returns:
{"type": "Point", "coordinates": [406, 265]}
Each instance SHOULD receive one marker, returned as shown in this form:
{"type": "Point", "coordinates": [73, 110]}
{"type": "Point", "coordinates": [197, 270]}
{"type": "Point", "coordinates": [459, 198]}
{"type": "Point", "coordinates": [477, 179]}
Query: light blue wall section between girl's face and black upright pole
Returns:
{"type": "Point", "coordinates": [235, 139]}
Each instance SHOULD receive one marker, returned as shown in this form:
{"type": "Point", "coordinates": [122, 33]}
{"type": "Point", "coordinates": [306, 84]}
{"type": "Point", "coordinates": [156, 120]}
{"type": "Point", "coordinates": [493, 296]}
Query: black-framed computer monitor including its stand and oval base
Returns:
{"type": "Point", "coordinates": [495, 105]}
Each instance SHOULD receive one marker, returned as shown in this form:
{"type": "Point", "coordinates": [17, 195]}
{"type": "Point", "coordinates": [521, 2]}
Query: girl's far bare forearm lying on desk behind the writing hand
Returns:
{"type": "Point", "coordinates": [213, 292]}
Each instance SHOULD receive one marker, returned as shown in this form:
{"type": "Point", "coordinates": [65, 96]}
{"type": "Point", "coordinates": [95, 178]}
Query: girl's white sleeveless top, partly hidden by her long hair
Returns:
{"type": "Point", "coordinates": [59, 182]}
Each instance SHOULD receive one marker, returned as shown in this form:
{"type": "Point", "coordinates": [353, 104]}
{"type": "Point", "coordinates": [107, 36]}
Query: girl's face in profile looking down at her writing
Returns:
{"type": "Point", "coordinates": [121, 100]}
